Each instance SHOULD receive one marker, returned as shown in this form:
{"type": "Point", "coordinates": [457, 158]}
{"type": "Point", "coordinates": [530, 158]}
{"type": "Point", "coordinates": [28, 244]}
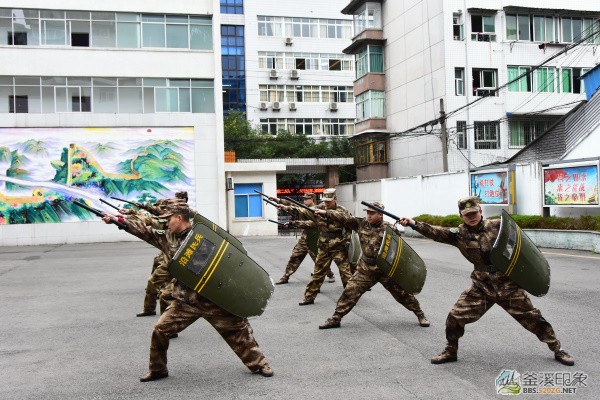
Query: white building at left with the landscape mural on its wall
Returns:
{"type": "Point", "coordinates": [137, 72]}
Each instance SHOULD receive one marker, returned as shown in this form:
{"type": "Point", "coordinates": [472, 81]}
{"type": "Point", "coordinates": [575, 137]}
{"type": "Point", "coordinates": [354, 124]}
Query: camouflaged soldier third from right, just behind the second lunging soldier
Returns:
{"type": "Point", "coordinates": [333, 244]}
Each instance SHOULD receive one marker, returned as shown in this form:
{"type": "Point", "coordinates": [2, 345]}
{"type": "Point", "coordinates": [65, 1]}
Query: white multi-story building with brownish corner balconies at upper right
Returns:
{"type": "Point", "coordinates": [460, 55]}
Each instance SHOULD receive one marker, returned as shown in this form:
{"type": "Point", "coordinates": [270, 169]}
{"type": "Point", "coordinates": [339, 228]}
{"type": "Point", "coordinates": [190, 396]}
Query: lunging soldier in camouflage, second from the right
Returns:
{"type": "Point", "coordinates": [371, 231]}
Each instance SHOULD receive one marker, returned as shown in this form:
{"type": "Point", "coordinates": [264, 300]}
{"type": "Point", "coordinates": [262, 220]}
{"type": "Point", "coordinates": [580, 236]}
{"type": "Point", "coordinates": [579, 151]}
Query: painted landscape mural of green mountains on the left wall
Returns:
{"type": "Point", "coordinates": [43, 169]}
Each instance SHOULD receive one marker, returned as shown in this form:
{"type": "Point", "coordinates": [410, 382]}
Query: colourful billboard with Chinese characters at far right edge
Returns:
{"type": "Point", "coordinates": [571, 185]}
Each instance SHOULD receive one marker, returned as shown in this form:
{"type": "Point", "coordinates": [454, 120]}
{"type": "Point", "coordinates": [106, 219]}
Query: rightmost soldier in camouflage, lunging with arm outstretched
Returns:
{"type": "Point", "coordinates": [475, 239]}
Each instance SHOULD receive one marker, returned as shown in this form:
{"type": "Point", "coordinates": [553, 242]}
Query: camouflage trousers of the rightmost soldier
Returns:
{"type": "Point", "coordinates": [474, 302]}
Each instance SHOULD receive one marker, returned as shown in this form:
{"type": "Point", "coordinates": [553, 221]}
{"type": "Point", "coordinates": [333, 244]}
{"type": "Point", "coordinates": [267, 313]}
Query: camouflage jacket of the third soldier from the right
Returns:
{"type": "Point", "coordinates": [332, 234]}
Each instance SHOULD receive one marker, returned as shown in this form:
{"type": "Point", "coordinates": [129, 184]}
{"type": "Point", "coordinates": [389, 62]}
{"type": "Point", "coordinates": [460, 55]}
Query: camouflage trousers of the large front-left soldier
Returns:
{"type": "Point", "coordinates": [236, 331]}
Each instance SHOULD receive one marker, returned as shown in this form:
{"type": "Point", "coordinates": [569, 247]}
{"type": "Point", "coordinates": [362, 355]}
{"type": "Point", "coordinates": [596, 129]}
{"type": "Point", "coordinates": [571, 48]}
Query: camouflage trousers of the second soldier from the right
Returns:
{"type": "Point", "coordinates": [365, 277]}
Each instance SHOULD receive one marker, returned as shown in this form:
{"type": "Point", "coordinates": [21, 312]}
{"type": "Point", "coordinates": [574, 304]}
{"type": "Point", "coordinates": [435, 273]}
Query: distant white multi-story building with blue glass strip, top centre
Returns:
{"type": "Point", "coordinates": [296, 77]}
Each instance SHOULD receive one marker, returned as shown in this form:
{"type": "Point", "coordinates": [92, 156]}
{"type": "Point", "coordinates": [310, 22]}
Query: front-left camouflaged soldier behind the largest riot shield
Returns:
{"type": "Point", "coordinates": [188, 305]}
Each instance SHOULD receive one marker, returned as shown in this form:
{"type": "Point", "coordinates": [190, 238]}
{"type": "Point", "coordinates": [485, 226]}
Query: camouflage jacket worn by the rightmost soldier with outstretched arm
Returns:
{"type": "Point", "coordinates": [476, 245]}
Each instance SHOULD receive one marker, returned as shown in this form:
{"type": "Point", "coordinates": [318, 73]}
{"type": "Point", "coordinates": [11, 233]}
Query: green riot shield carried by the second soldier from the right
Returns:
{"type": "Point", "coordinates": [401, 263]}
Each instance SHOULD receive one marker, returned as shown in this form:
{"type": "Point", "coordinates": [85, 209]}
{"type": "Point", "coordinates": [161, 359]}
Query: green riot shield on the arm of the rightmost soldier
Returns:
{"type": "Point", "coordinates": [517, 257]}
